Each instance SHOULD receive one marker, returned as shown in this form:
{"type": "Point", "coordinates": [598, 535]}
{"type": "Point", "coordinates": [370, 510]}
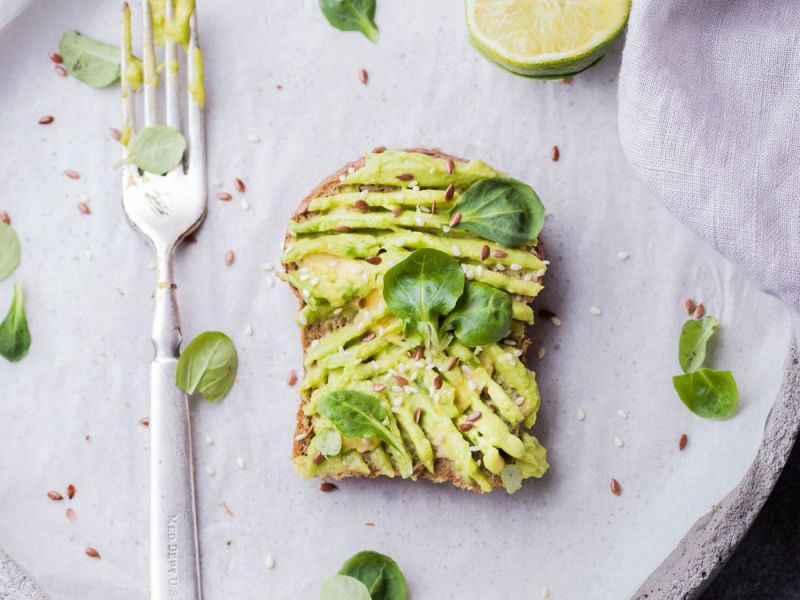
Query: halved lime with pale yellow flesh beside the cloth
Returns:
{"type": "Point", "coordinates": [545, 38]}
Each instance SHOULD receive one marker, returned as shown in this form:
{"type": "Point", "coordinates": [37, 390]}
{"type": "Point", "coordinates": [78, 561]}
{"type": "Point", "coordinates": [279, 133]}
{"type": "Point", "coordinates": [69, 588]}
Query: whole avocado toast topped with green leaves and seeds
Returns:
{"type": "Point", "coordinates": [430, 383]}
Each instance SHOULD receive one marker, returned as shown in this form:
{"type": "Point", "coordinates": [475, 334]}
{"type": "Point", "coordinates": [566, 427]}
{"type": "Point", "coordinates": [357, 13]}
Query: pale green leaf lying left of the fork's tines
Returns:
{"type": "Point", "coordinates": [94, 63]}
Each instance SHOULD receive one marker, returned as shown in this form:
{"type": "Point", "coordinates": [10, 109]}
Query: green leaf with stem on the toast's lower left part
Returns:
{"type": "Point", "coordinates": [359, 415]}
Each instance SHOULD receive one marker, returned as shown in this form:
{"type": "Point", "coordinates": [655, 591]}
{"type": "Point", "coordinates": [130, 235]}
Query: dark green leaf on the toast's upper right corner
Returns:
{"type": "Point", "coordinates": [501, 209]}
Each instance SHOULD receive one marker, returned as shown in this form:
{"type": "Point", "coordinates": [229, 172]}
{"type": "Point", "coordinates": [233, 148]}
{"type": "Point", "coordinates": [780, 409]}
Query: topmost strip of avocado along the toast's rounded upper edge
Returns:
{"type": "Point", "coordinates": [427, 171]}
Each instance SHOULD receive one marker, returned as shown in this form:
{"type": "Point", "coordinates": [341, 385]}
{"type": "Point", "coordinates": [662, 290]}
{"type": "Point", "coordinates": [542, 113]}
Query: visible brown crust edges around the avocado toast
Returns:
{"type": "Point", "coordinates": [444, 470]}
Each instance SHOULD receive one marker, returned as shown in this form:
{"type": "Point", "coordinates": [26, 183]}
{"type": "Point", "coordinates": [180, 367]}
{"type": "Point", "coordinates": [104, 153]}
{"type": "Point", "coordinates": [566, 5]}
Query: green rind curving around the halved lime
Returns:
{"type": "Point", "coordinates": [550, 68]}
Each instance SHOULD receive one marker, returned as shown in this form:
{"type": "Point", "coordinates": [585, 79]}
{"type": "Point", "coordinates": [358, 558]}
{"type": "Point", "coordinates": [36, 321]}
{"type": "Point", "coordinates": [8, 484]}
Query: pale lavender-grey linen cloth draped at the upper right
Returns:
{"type": "Point", "coordinates": [709, 118]}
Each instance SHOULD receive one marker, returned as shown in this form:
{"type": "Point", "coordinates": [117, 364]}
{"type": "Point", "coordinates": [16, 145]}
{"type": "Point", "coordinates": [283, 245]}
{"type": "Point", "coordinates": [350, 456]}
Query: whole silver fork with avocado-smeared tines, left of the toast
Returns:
{"type": "Point", "coordinates": [165, 209]}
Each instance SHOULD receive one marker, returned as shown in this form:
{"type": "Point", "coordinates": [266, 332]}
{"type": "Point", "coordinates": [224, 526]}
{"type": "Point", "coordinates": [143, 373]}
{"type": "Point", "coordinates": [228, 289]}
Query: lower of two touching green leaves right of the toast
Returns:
{"type": "Point", "coordinates": [708, 393]}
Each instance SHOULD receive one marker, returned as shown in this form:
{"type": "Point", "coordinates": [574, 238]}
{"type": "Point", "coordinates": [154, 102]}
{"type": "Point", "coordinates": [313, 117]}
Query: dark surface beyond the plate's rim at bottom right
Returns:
{"type": "Point", "coordinates": [767, 564]}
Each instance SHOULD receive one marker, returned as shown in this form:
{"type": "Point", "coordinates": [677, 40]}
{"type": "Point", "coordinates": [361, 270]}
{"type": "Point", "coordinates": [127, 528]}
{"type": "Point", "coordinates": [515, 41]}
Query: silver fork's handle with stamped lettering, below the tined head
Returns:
{"type": "Point", "coordinates": [174, 557]}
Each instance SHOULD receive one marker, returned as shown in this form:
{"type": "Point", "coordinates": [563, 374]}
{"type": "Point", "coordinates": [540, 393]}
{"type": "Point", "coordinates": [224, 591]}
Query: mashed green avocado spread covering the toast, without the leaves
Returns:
{"type": "Point", "coordinates": [455, 407]}
